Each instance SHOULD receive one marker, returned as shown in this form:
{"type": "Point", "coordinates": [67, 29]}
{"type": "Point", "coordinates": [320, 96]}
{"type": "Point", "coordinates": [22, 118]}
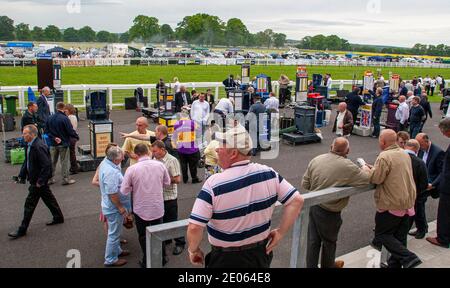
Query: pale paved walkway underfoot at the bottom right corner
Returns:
{"type": "Point", "coordinates": [431, 256]}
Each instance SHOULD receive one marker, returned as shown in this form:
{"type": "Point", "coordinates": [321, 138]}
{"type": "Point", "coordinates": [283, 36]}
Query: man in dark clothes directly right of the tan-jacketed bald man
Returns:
{"type": "Point", "coordinates": [420, 174]}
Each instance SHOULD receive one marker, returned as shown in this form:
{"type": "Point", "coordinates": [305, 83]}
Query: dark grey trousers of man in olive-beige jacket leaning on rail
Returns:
{"type": "Point", "coordinates": [323, 232]}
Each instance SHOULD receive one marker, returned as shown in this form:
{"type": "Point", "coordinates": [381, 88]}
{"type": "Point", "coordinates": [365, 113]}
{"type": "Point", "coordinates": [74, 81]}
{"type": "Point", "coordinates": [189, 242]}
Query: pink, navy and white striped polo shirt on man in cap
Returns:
{"type": "Point", "coordinates": [237, 204]}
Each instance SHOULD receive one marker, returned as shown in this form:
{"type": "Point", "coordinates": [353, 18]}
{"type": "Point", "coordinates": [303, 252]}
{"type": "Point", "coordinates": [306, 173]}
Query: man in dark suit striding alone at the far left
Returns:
{"type": "Point", "coordinates": [37, 168]}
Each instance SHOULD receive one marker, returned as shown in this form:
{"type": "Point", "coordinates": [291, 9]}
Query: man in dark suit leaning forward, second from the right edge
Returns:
{"type": "Point", "coordinates": [433, 156]}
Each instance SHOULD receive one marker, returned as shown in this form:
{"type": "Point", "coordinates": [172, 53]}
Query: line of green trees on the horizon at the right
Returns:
{"type": "Point", "coordinates": [334, 43]}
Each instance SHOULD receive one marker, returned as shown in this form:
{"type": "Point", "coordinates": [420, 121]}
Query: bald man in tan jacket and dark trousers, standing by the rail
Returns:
{"type": "Point", "coordinates": [395, 196]}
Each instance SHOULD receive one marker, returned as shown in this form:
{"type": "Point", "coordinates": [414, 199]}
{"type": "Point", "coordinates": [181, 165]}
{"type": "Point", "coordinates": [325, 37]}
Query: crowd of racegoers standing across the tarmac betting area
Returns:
{"type": "Point", "coordinates": [238, 197]}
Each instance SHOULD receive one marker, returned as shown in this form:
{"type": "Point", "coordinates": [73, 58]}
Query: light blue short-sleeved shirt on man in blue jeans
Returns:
{"type": "Point", "coordinates": [110, 179]}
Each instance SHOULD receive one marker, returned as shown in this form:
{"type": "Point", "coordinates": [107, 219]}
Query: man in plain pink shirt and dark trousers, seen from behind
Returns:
{"type": "Point", "coordinates": [145, 182]}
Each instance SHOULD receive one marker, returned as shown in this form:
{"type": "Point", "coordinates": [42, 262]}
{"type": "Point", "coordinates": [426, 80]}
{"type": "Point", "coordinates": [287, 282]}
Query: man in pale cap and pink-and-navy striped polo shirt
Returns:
{"type": "Point", "coordinates": [237, 205]}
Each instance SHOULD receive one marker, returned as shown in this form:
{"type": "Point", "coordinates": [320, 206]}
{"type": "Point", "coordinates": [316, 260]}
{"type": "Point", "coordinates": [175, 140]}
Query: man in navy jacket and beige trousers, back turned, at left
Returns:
{"type": "Point", "coordinates": [60, 131]}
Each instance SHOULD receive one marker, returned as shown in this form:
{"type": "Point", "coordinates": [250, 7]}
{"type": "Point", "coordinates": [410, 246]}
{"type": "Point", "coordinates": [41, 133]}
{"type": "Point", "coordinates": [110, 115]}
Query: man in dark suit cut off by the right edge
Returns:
{"type": "Point", "coordinates": [443, 219]}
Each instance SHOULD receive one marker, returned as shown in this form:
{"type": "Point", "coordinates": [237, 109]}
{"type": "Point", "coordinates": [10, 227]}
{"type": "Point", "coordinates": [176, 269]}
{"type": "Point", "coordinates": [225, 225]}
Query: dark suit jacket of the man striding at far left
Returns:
{"type": "Point", "coordinates": [40, 164]}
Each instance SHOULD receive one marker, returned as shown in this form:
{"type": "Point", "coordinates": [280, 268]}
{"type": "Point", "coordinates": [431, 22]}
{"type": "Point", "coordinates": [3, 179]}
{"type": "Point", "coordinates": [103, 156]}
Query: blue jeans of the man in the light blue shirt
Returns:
{"type": "Point", "coordinates": [113, 250]}
